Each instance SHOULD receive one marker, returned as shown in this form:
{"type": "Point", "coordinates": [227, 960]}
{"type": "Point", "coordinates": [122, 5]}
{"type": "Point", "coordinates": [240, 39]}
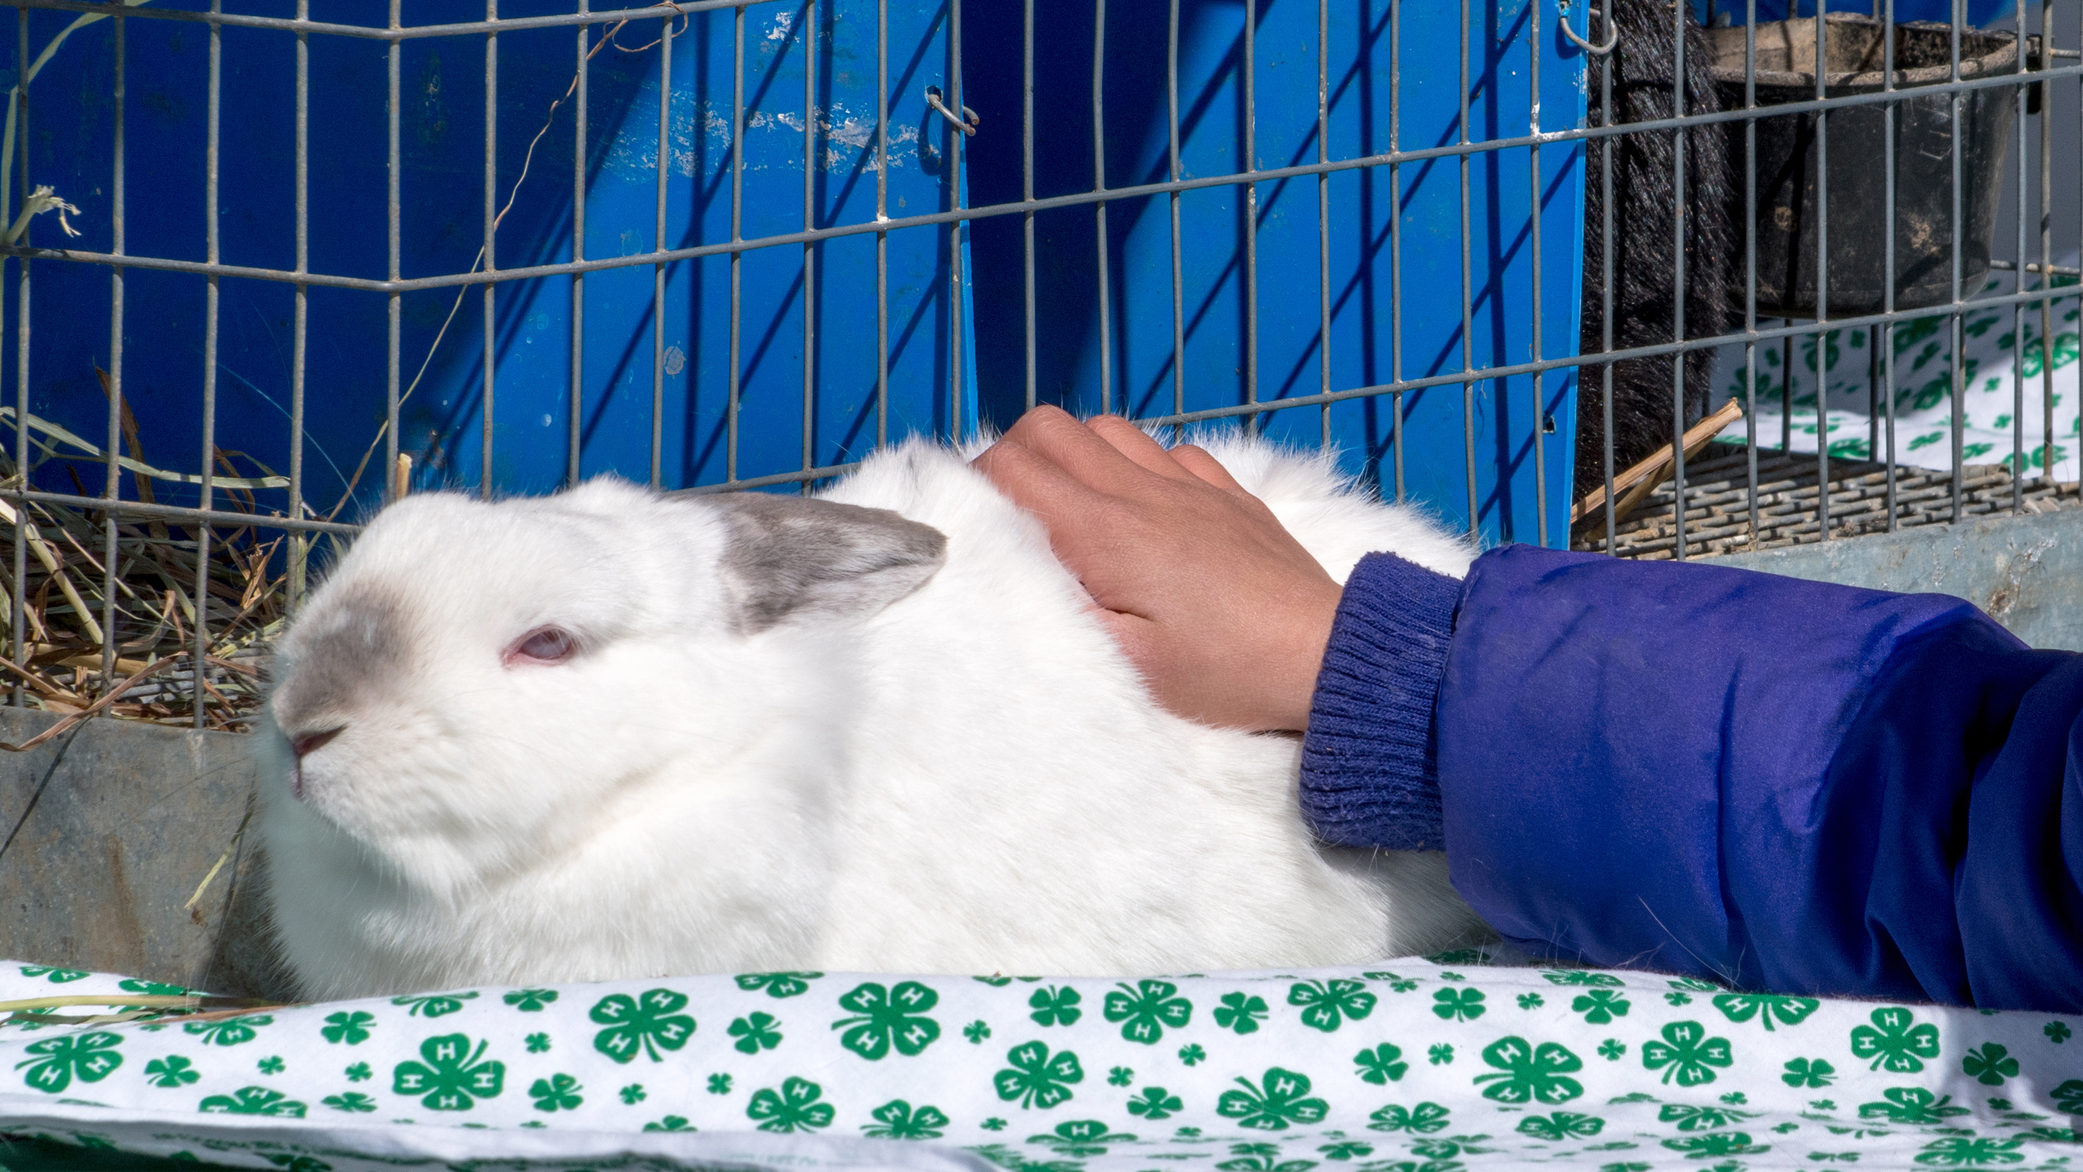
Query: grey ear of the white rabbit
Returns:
{"type": "Point", "coordinates": [803, 557]}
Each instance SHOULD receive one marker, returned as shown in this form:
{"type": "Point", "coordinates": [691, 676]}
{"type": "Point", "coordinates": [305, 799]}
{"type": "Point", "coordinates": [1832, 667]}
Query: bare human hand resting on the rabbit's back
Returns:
{"type": "Point", "coordinates": [1213, 601]}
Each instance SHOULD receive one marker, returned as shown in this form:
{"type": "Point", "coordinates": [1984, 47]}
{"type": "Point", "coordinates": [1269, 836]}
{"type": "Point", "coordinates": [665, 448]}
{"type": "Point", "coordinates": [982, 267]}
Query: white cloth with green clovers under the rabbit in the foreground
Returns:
{"type": "Point", "coordinates": [1411, 1067]}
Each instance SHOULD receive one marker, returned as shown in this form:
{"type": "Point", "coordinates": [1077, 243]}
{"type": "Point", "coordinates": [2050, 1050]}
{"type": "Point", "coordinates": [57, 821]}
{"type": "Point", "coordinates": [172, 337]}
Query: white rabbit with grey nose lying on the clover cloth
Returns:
{"type": "Point", "coordinates": [943, 775]}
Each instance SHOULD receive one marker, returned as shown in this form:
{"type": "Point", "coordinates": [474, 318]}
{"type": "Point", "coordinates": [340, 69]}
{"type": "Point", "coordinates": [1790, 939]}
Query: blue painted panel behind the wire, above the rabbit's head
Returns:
{"type": "Point", "coordinates": [443, 128]}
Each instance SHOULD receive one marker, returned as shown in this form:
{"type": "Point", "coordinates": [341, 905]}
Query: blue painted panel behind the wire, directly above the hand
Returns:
{"type": "Point", "coordinates": [1372, 109]}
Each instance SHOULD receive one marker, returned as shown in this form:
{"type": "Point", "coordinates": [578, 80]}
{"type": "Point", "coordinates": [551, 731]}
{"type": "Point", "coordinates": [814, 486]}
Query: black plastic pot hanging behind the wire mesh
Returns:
{"type": "Point", "coordinates": [1790, 215]}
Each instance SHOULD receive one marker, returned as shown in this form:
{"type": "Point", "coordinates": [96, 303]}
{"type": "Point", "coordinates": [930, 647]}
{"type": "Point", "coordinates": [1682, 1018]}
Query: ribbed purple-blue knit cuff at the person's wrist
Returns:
{"type": "Point", "coordinates": [1370, 775]}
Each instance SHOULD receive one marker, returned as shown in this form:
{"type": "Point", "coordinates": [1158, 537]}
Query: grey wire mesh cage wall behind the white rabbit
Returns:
{"type": "Point", "coordinates": [270, 263]}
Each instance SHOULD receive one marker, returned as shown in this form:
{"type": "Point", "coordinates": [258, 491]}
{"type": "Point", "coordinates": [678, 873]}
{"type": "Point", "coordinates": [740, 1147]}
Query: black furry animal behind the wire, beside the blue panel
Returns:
{"type": "Point", "coordinates": [1645, 236]}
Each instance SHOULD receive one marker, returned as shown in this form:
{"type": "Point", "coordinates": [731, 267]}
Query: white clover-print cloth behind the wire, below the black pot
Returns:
{"type": "Point", "coordinates": [1997, 349]}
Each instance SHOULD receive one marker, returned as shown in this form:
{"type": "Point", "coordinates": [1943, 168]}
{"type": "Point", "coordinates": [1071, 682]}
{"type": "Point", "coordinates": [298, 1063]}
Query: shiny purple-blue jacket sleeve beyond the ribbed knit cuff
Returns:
{"type": "Point", "coordinates": [1767, 782]}
